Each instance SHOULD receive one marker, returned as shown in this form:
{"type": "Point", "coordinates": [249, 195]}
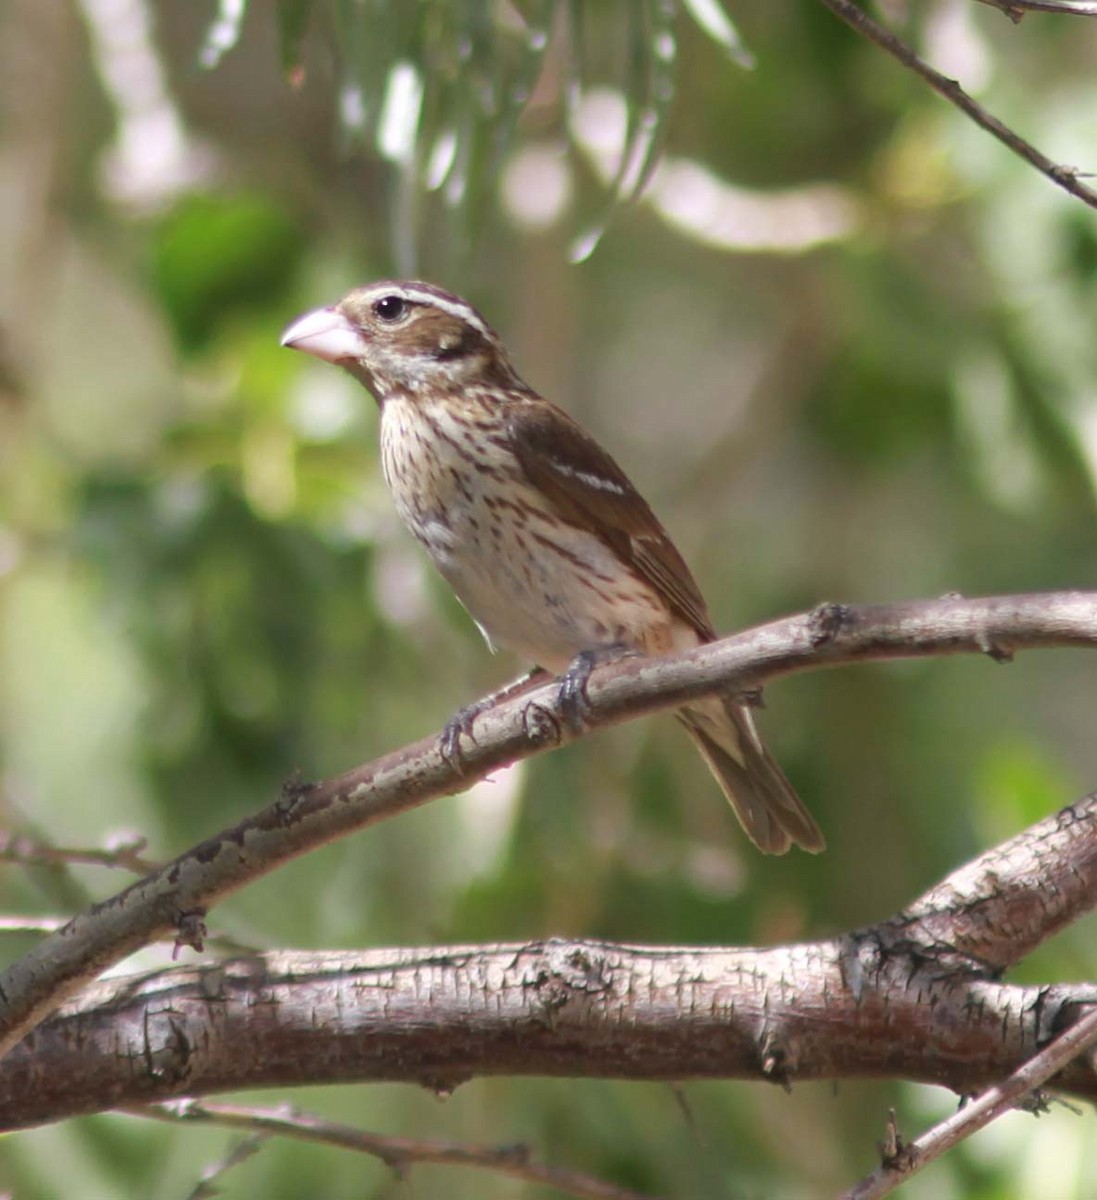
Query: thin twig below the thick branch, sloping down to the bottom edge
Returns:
{"type": "Point", "coordinates": [399, 1154]}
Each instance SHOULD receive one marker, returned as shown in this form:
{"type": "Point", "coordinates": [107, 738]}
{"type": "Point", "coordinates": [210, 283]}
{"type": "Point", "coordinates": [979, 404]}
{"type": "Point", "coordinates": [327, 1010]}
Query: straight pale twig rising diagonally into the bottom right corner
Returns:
{"type": "Point", "coordinates": [979, 1113]}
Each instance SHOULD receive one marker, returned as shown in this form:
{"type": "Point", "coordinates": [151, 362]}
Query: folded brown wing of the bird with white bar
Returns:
{"type": "Point", "coordinates": [591, 491]}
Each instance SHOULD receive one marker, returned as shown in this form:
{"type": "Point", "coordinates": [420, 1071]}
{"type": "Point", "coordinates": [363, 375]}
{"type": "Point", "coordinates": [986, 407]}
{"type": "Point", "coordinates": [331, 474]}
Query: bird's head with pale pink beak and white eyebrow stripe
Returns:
{"type": "Point", "coordinates": [409, 339]}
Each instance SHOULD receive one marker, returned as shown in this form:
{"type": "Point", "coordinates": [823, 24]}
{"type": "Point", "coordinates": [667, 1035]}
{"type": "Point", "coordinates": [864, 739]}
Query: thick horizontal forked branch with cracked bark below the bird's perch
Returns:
{"type": "Point", "coordinates": [904, 999]}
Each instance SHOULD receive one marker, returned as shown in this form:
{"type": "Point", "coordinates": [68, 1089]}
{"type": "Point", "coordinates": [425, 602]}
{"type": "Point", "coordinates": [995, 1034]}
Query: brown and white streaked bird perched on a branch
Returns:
{"type": "Point", "coordinates": [539, 532]}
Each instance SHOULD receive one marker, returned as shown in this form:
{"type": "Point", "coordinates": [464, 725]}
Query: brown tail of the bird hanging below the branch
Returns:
{"type": "Point", "coordinates": [769, 809]}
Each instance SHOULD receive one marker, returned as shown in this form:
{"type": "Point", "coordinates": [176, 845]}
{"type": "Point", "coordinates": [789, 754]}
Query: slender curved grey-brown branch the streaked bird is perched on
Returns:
{"type": "Point", "coordinates": [177, 896]}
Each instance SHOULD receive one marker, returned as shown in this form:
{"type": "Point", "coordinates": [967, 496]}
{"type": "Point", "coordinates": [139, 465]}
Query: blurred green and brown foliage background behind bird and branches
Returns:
{"type": "Point", "coordinates": [843, 343]}
